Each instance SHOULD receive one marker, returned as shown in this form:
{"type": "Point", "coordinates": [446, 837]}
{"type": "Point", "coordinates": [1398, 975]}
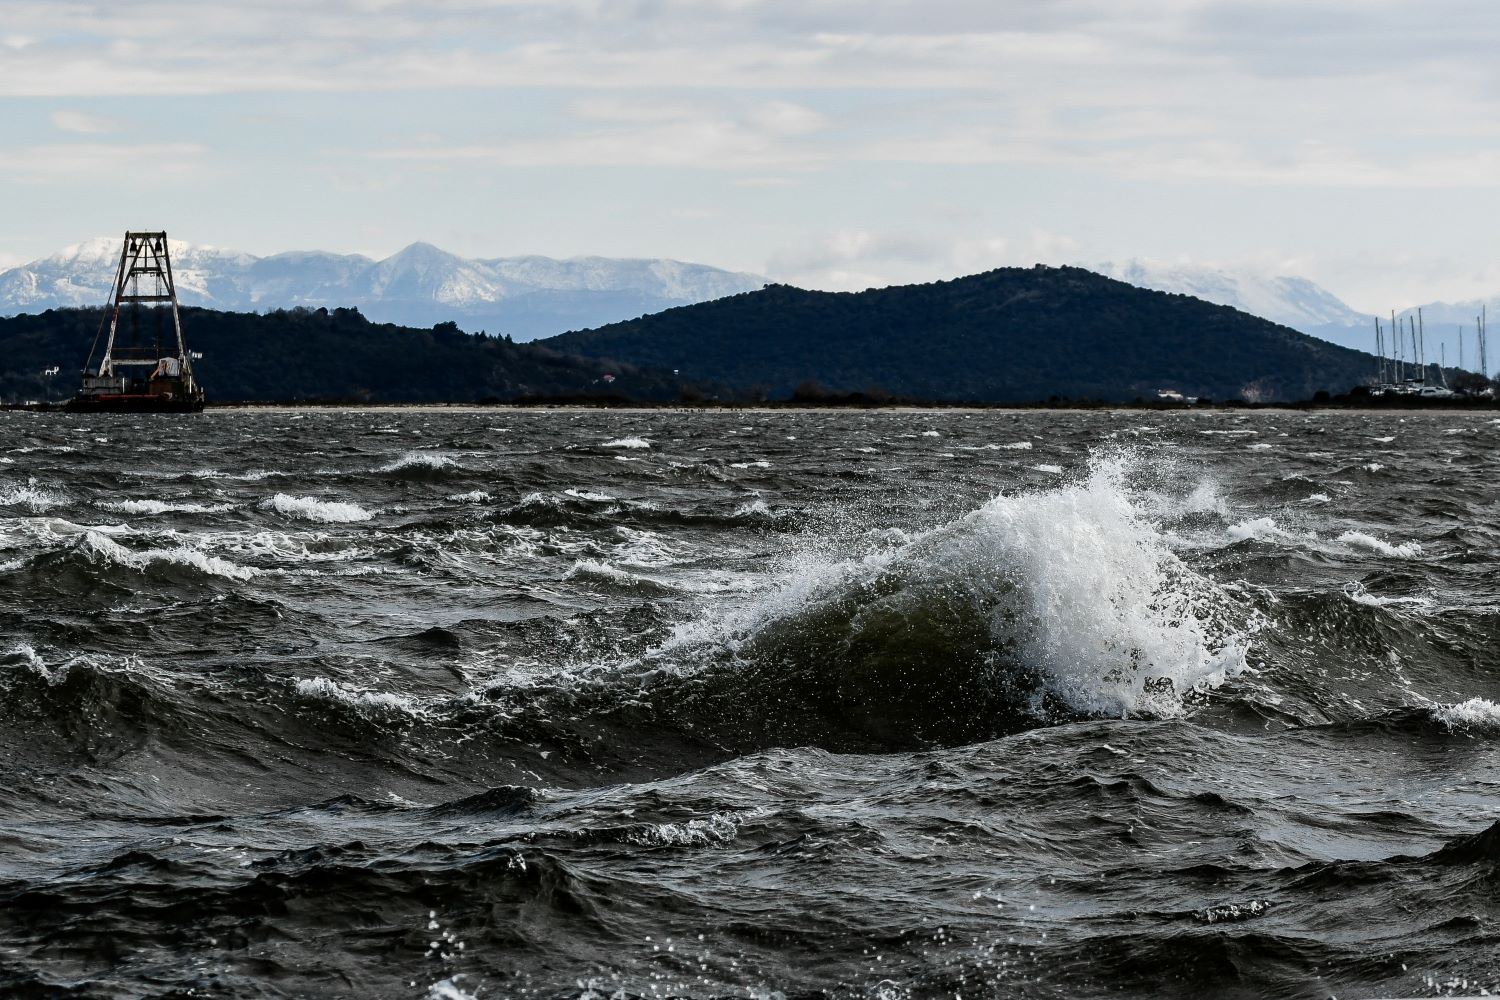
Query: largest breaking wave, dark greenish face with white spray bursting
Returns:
{"type": "Point", "coordinates": [1039, 606]}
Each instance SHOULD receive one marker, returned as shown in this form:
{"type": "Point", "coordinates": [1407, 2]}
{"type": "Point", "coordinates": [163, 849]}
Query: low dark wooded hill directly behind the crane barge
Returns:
{"type": "Point", "coordinates": [317, 355]}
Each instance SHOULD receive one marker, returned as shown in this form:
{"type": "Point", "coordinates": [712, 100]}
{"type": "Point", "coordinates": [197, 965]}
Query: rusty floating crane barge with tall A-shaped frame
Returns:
{"type": "Point", "coordinates": [142, 373]}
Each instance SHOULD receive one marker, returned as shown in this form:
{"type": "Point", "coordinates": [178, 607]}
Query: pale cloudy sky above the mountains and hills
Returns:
{"type": "Point", "coordinates": [824, 143]}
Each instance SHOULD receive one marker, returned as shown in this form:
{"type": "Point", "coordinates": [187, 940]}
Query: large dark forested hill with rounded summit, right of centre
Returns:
{"type": "Point", "coordinates": [1009, 335]}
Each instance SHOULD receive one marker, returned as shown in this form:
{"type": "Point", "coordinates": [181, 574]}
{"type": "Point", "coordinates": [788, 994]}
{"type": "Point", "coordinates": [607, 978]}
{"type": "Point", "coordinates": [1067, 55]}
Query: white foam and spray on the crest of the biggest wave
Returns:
{"type": "Point", "coordinates": [1073, 582]}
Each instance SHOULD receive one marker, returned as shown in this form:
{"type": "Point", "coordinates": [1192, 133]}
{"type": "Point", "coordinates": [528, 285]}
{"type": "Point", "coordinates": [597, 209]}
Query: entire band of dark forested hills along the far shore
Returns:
{"type": "Point", "coordinates": [1043, 337]}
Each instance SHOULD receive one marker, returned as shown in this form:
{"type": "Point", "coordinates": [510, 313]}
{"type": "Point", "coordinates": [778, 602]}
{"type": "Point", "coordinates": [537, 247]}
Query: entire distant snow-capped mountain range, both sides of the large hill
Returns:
{"type": "Point", "coordinates": [533, 298]}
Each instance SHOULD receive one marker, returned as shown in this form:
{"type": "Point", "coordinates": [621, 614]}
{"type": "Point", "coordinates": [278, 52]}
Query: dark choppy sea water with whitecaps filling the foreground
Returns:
{"type": "Point", "coordinates": [493, 704]}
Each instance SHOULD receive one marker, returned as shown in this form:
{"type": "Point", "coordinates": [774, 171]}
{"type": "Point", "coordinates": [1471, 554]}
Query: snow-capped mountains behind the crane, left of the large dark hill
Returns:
{"type": "Point", "coordinates": [524, 296]}
